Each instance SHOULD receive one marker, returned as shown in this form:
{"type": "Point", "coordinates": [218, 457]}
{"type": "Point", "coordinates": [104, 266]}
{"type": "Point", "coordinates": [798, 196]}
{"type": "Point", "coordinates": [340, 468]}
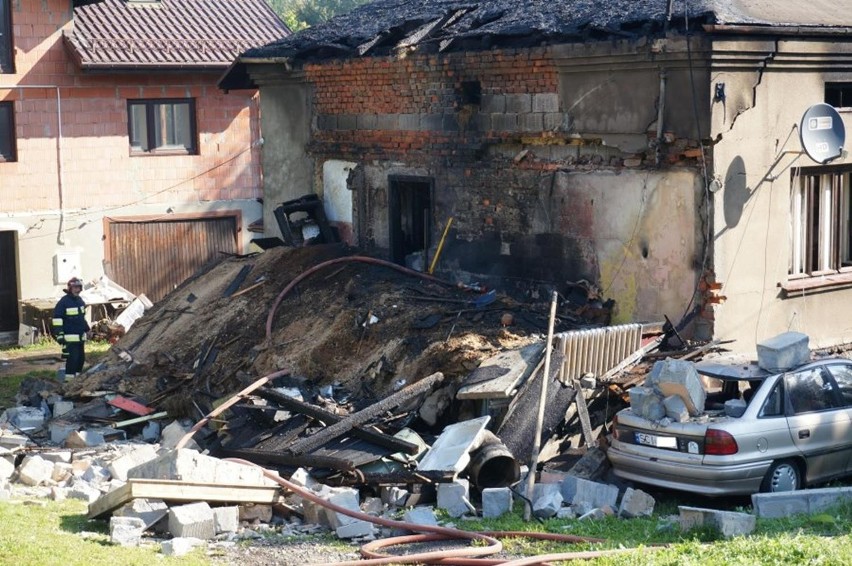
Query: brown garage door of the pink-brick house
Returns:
{"type": "Point", "coordinates": [154, 257]}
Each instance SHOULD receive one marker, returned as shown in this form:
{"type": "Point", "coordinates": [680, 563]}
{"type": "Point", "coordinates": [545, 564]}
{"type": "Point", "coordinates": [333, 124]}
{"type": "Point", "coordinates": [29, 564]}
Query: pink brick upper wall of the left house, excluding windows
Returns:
{"type": "Point", "coordinates": [94, 163]}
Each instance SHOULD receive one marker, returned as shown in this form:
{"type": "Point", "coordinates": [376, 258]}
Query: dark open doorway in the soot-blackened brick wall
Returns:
{"type": "Point", "coordinates": [410, 222]}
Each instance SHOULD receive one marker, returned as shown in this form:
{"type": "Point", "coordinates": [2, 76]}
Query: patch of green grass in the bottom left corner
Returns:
{"type": "Point", "coordinates": [59, 534]}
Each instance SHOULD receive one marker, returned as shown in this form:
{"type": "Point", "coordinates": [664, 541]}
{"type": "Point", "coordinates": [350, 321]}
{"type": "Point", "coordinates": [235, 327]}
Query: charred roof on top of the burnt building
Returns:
{"type": "Point", "coordinates": [449, 25]}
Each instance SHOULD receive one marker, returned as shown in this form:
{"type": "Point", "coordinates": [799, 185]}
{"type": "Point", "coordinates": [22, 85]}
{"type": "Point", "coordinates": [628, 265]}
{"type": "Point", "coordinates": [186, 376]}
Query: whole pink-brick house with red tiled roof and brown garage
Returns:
{"type": "Point", "coordinates": [118, 154]}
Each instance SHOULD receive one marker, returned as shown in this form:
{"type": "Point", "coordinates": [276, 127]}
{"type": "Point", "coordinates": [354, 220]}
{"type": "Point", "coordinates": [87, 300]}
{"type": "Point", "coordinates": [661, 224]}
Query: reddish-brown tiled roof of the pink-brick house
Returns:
{"type": "Point", "coordinates": [209, 34]}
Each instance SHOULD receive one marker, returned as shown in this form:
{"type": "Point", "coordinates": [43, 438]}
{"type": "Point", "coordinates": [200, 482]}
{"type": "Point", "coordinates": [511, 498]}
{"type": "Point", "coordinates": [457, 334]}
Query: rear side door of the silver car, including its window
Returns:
{"type": "Point", "coordinates": [819, 425]}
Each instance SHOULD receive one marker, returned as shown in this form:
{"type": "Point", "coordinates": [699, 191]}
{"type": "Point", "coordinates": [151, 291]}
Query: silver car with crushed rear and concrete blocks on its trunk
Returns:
{"type": "Point", "coordinates": [796, 431]}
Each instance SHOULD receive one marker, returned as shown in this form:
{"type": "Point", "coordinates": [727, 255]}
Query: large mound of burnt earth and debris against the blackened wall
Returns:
{"type": "Point", "coordinates": [362, 328]}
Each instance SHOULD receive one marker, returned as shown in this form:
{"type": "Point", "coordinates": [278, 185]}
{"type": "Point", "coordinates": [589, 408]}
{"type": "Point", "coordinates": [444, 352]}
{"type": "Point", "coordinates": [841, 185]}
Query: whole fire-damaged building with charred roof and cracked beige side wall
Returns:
{"type": "Point", "coordinates": [653, 155]}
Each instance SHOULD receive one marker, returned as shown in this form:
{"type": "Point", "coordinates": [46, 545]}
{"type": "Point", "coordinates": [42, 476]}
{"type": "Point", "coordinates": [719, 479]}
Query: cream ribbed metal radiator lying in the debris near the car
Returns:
{"type": "Point", "coordinates": [596, 350]}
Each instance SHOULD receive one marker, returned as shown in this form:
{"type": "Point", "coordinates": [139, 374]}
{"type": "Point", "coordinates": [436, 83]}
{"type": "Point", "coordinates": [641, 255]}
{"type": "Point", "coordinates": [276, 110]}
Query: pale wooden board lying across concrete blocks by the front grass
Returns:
{"type": "Point", "coordinates": [178, 491]}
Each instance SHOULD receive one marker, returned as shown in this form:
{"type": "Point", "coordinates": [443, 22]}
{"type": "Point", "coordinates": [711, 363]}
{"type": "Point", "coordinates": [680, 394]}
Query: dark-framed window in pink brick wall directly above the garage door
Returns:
{"type": "Point", "coordinates": [162, 126]}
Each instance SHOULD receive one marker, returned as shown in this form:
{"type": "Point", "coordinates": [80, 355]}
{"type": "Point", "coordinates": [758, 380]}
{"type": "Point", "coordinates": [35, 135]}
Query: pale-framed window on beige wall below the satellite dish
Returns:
{"type": "Point", "coordinates": [821, 239]}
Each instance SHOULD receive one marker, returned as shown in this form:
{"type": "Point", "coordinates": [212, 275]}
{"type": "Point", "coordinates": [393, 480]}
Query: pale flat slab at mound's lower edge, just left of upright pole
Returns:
{"type": "Point", "coordinates": [498, 376]}
